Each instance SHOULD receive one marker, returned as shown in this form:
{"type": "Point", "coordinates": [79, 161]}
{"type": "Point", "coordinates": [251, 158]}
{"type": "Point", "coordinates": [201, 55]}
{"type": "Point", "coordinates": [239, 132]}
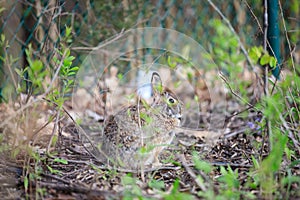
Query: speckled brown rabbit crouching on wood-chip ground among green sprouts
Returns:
{"type": "Point", "coordinates": [135, 136]}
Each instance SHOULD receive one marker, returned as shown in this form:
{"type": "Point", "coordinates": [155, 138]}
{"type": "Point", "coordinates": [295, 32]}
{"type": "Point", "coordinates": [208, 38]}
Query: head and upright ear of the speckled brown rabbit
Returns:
{"type": "Point", "coordinates": [165, 100]}
